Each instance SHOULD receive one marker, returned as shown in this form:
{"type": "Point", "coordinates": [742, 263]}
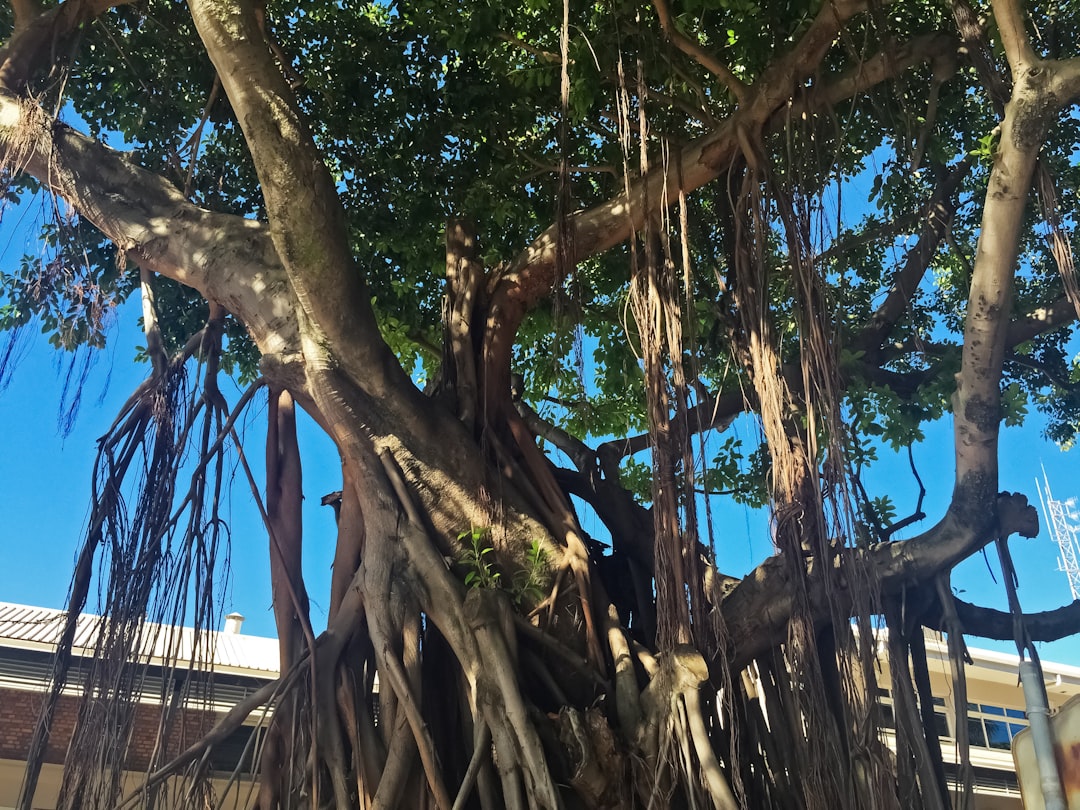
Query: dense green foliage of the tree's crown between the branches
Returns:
{"type": "Point", "coordinates": [439, 109]}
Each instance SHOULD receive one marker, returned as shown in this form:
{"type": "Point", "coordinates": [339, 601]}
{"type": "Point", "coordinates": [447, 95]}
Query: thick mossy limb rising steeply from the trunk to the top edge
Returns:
{"type": "Point", "coordinates": [355, 382]}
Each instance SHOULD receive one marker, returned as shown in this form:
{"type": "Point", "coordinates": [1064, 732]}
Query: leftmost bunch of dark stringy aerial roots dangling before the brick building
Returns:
{"type": "Point", "coordinates": [148, 556]}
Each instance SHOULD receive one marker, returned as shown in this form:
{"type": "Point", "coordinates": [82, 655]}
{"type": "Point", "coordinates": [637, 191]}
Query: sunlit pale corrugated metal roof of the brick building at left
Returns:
{"type": "Point", "coordinates": [36, 628]}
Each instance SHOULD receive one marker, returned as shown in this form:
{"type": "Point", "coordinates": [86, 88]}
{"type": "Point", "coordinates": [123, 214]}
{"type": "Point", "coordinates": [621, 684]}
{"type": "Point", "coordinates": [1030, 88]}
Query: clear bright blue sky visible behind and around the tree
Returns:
{"type": "Point", "coordinates": [47, 488]}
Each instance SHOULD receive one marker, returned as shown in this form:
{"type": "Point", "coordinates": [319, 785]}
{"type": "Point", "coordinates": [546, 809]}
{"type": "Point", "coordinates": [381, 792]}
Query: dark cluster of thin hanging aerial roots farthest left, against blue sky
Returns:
{"type": "Point", "coordinates": [164, 552]}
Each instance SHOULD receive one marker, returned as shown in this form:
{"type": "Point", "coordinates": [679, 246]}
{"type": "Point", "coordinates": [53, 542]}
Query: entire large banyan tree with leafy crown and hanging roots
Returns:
{"type": "Point", "coordinates": [522, 260]}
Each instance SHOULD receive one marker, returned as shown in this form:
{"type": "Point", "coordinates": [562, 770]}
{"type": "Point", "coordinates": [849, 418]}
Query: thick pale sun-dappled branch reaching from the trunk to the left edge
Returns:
{"type": "Point", "coordinates": [227, 260]}
